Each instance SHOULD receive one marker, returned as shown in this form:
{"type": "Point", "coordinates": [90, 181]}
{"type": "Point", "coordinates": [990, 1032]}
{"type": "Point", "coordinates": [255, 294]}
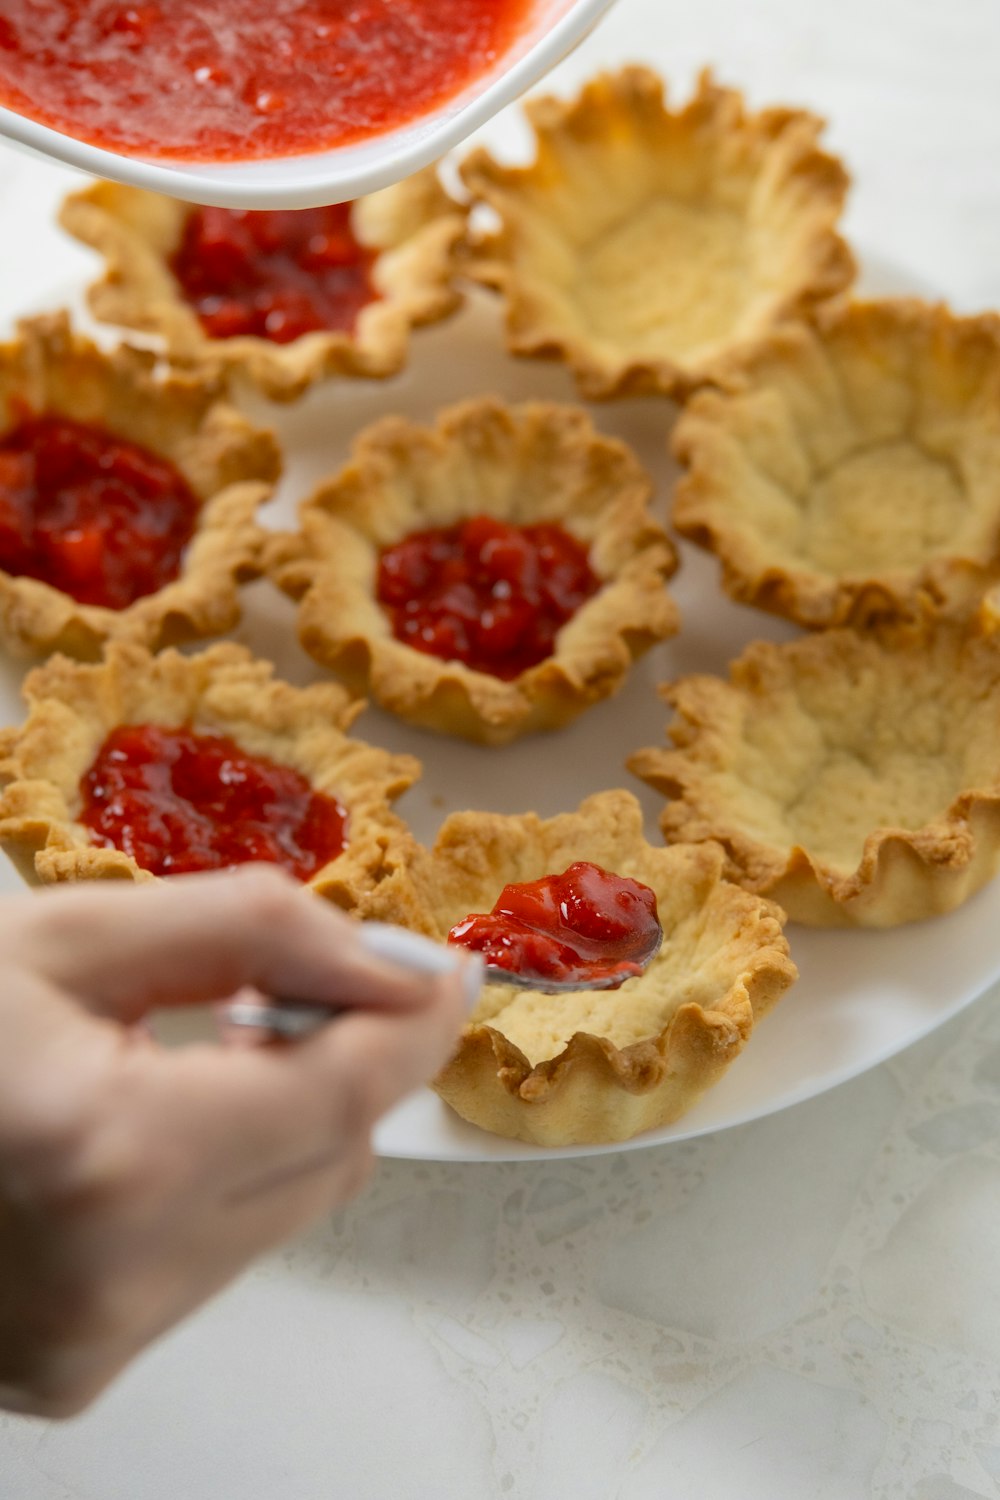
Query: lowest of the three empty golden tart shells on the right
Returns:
{"type": "Point", "coordinates": [852, 778]}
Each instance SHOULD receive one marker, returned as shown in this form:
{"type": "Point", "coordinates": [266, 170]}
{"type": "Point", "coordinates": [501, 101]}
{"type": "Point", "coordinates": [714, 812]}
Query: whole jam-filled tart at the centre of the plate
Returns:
{"type": "Point", "coordinates": [487, 578]}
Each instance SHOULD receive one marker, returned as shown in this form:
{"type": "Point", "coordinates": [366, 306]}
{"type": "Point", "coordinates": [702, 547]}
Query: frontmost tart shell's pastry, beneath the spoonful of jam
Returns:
{"type": "Point", "coordinates": [561, 1070]}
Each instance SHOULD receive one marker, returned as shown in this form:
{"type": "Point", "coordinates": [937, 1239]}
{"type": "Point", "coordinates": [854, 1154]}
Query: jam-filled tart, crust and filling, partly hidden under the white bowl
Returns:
{"type": "Point", "coordinates": [286, 298]}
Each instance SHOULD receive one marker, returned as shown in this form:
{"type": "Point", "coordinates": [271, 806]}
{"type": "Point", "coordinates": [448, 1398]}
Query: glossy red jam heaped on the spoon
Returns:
{"type": "Point", "coordinates": [579, 926]}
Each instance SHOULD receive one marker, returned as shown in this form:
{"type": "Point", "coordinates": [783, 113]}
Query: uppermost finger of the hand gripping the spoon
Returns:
{"type": "Point", "coordinates": [128, 950]}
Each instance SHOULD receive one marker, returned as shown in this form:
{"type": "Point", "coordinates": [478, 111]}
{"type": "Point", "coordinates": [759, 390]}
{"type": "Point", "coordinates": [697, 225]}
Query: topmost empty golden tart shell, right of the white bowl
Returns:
{"type": "Point", "coordinates": [651, 248]}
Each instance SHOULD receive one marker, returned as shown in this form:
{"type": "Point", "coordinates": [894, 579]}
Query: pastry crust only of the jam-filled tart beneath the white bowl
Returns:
{"type": "Point", "coordinates": [413, 226]}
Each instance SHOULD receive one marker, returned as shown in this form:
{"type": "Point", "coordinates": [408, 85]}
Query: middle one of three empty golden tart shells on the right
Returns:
{"type": "Point", "coordinates": [854, 472]}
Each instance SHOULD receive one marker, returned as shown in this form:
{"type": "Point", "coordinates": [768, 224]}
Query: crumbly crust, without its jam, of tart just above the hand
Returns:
{"type": "Point", "coordinates": [223, 691]}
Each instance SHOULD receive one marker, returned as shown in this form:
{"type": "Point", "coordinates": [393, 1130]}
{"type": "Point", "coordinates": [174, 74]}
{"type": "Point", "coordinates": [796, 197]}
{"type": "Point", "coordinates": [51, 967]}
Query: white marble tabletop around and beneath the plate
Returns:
{"type": "Point", "coordinates": [806, 1309]}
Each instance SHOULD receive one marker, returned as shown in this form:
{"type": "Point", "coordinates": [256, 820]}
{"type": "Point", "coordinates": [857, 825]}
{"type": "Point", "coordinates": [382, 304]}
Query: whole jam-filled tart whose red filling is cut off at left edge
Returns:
{"type": "Point", "coordinates": [128, 497]}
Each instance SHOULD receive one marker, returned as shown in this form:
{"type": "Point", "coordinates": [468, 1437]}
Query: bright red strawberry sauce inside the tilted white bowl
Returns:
{"type": "Point", "coordinates": [242, 80]}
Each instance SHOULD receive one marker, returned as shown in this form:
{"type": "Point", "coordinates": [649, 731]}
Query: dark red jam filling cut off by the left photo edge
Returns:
{"type": "Point", "coordinates": [91, 514]}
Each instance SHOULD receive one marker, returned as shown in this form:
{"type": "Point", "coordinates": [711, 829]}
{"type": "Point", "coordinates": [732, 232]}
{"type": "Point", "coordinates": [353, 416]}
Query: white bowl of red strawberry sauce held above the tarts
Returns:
{"type": "Point", "coordinates": [253, 106]}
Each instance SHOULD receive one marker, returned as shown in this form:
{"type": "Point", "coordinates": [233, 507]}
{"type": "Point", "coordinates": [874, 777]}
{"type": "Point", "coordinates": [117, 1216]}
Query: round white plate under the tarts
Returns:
{"type": "Point", "coordinates": [861, 997]}
